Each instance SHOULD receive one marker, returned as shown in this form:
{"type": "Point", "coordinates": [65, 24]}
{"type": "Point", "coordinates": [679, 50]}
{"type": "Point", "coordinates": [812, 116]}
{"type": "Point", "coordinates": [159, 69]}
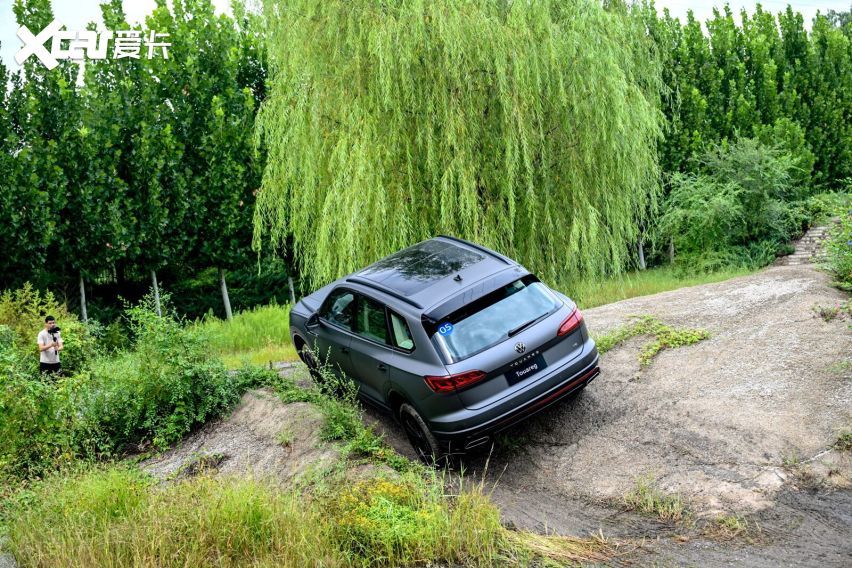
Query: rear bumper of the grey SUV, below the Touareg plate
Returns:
{"type": "Point", "coordinates": [476, 426]}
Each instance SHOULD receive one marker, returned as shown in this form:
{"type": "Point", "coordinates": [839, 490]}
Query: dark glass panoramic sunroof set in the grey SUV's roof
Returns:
{"type": "Point", "coordinates": [413, 269]}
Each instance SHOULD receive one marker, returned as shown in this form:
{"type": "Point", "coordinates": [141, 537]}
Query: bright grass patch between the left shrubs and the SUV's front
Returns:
{"type": "Point", "coordinates": [254, 337]}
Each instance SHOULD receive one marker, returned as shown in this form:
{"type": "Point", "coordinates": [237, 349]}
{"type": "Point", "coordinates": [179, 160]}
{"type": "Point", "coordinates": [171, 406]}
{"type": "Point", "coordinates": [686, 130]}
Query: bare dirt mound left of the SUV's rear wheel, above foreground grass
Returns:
{"type": "Point", "coordinates": [262, 437]}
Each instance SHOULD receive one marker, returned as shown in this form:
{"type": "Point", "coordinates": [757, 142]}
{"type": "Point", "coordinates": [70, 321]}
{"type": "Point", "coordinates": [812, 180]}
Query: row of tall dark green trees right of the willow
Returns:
{"type": "Point", "coordinates": [768, 77]}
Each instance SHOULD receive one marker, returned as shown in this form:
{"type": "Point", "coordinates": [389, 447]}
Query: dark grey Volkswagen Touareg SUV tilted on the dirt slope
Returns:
{"type": "Point", "coordinates": [457, 341]}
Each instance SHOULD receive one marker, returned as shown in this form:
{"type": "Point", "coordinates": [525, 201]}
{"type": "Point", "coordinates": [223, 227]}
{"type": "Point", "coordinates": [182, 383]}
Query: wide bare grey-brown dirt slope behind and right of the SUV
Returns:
{"type": "Point", "coordinates": [740, 423]}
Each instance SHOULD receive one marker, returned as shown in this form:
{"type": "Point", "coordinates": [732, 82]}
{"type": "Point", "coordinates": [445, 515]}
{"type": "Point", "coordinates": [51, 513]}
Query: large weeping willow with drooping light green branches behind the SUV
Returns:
{"type": "Point", "coordinates": [529, 127]}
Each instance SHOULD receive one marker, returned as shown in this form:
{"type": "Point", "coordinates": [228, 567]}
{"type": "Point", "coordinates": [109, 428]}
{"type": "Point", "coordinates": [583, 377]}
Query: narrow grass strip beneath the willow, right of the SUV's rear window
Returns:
{"type": "Point", "coordinates": [597, 292]}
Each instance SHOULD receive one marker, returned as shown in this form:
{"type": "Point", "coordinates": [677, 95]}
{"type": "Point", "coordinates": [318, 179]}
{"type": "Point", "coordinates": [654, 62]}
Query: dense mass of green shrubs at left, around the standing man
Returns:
{"type": "Point", "coordinates": [160, 386]}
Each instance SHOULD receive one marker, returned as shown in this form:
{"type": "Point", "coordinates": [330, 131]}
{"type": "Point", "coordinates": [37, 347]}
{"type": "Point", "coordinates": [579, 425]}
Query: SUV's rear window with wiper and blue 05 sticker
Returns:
{"type": "Point", "coordinates": [490, 319]}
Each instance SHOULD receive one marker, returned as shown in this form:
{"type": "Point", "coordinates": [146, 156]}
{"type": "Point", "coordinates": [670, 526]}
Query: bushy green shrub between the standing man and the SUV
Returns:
{"type": "Point", "coordinates": [159, 391]}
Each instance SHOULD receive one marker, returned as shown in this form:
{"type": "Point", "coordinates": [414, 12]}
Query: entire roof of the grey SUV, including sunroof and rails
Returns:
{"type": "Point", "coordinates": [432, 270]}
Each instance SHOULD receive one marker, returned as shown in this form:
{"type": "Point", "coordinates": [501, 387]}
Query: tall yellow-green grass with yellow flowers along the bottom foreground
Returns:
{"type": "Point", "coordinates": [118, 516]}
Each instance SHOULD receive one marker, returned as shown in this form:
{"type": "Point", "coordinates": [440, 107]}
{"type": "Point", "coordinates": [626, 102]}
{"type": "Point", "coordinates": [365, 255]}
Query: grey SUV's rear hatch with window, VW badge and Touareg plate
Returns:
{"type": "Point", "coordinates": [511, 336]}
